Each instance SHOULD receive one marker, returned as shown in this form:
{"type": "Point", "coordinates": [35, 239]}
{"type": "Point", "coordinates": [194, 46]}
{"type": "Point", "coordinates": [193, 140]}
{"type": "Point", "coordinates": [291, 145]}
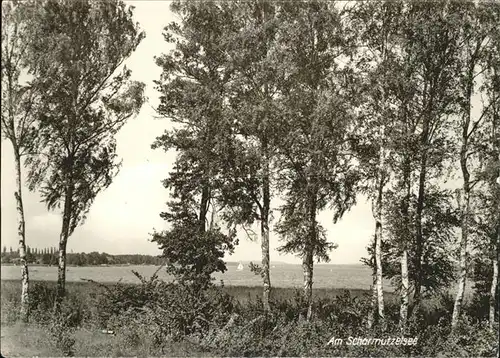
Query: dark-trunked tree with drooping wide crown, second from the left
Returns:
{"type": "Point", "coordinates": [86, 97]}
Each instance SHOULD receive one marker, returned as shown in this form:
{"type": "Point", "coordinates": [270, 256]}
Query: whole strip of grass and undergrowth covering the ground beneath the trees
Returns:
{"type": "Point", "coordinates": [338, 312]}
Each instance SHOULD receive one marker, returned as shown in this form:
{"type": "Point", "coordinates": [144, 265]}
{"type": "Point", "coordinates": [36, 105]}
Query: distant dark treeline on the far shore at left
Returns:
{"type": "Point", "coordinates": [48, 256]}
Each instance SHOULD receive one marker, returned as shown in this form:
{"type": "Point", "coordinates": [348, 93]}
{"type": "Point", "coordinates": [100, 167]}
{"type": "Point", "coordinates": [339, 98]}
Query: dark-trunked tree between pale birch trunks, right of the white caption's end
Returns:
{"type": "Point", "coordinates": [432, 44]}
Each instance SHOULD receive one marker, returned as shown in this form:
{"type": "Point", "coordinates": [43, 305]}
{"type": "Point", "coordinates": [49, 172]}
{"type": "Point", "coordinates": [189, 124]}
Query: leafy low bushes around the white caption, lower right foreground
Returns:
{"type": "Point", "coordinates": [284, 333]}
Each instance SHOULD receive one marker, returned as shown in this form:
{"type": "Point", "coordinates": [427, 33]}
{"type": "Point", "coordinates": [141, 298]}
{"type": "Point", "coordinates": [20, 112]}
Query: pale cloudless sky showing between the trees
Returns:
{"type": "Point", "coordinates": [123, 215]}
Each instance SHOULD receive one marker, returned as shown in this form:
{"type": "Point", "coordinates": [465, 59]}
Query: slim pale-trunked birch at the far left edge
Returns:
{"type": "Point", "coordinates": [18, 123]}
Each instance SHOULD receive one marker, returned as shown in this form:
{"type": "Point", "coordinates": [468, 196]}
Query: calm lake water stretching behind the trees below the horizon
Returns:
{"type": "Point", "coordinates": [282, 275]}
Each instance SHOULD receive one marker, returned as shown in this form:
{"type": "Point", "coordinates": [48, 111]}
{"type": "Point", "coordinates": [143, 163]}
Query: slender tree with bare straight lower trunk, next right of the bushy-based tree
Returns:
{"type": "Point", "coordinates": [253, 106]}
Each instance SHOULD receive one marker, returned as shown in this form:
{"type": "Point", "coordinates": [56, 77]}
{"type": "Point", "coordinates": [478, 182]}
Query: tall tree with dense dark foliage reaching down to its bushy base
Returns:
{"type": "Point", "coordinates": [193, 89]}
